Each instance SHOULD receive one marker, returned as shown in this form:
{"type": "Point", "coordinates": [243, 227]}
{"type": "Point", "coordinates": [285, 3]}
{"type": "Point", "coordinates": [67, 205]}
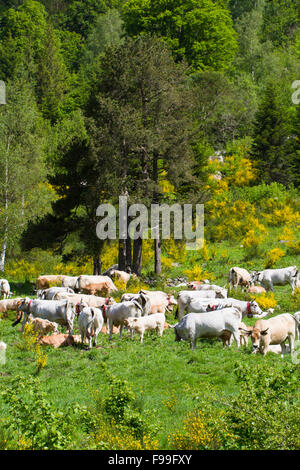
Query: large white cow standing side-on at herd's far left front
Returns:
{"type": "Point", "coordinates": [59, 311]}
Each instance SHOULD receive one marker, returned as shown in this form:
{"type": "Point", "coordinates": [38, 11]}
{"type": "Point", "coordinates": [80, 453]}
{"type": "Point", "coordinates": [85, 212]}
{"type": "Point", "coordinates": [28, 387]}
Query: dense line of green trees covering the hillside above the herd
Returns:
{"type": "Point", "coordinates": [108, 98]}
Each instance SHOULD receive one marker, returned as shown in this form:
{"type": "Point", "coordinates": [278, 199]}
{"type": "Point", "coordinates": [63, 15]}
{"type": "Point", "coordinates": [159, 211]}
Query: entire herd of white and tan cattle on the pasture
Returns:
{"type": "Point", "coordinates": [203, 310]}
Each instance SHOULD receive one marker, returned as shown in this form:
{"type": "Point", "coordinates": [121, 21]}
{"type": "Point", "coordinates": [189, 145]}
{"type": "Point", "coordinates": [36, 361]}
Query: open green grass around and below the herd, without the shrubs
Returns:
{"type": "Point", "coordinates": [160, 370]}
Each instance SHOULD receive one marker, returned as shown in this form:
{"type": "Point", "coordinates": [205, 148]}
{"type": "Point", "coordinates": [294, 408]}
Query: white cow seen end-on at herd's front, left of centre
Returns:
{"type": "Point", "coordinates": [90, 322]}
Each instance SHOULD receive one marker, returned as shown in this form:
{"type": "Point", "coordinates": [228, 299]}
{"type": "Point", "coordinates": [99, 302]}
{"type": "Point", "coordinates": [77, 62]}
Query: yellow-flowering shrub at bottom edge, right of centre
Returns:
{"type": "Point", "coordinates": [194, 436]}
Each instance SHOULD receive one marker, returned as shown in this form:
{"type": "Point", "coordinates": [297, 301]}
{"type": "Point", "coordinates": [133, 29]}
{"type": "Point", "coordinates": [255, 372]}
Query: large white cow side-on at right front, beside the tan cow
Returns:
{"type": "Point", "coordinates": [208, 325]}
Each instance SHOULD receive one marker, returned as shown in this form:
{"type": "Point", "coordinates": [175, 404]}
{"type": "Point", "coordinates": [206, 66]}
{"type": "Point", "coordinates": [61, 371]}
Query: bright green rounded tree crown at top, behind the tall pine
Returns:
{"type": "Point", "coordinates": [199, 31]}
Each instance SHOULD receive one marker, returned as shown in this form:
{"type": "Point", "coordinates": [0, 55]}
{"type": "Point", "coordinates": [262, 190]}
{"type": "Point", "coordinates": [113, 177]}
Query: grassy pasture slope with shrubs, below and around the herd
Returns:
{"type": "Point", "coordinates": [158, 395]}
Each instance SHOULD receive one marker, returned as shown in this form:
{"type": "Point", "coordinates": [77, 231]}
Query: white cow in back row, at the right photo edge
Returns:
{"type": "Point", "coordinates": [276, 277]}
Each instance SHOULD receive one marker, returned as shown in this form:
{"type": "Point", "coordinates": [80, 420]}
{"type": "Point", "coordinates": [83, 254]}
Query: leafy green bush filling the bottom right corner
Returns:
{"type": "Point", "coordinates": [265, 413]}
